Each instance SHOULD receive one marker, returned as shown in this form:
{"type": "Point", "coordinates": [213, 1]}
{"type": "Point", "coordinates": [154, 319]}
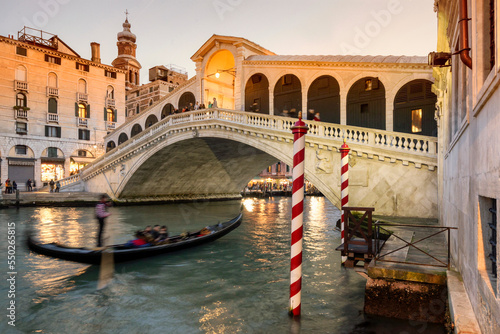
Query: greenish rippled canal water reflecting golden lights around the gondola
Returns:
{"type": "Point", "coordinates": [237, 284]}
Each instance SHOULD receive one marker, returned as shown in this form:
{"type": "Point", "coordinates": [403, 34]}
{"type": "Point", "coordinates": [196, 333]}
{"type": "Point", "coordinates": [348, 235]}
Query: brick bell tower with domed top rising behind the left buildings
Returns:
{"type": "Point", "coordinates": [126, 55]}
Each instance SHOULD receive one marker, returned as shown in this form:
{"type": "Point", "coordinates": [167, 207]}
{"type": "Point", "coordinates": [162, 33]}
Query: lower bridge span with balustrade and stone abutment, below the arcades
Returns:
{"type": "Point", "coordinates": [213, 153]}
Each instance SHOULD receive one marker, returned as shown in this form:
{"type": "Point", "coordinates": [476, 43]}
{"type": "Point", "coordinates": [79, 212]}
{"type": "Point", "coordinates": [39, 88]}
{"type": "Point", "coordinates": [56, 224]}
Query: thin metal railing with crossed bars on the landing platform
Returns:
{"type": "Point", "coordinates": [441, 229]}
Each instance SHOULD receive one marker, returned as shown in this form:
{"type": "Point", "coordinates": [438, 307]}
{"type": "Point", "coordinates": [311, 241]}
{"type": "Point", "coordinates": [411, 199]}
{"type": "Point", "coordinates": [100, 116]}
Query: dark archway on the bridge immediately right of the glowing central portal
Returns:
{"type": "Point", "coordinates": [257, 94]}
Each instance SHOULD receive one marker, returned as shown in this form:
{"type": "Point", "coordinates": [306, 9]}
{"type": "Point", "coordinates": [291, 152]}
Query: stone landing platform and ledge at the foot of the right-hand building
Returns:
{"type": "Point", "coordinates": [412, 278]}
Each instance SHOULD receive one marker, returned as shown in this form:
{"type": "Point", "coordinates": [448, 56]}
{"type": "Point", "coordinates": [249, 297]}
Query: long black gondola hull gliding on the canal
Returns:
{"type": "Point", "coordinates": [122, 253]}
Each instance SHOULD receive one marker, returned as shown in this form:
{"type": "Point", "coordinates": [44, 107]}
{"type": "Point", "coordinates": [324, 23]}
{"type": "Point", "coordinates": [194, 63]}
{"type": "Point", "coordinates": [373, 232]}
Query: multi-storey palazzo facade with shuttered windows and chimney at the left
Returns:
{"type": "Point", "coordinates": [55, 107]}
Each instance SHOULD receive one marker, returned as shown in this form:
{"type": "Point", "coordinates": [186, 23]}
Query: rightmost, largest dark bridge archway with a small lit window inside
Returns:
{"type": "Point", "coordinates": [414, 106]}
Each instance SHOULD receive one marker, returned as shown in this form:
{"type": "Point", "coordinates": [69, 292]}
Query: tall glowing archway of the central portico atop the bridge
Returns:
{"type": "Point", "coordinates": [220, 78]}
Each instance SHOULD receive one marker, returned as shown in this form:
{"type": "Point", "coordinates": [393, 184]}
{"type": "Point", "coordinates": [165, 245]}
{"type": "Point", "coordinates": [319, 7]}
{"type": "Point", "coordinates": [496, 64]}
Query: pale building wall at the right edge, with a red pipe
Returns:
{"type": "Point", "coordinates": [469, 149]}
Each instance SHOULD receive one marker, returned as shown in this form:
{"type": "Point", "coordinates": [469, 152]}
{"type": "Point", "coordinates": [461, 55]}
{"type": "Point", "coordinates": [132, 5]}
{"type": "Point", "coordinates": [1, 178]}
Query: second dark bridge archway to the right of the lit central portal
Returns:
{"type": "Point", "coordinates": [288, 96]}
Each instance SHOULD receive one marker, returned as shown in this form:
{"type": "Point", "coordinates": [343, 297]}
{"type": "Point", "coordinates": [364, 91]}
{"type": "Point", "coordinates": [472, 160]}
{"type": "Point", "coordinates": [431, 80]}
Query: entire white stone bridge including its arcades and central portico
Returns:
{"type": "Point", "coordinates": [382, 105]}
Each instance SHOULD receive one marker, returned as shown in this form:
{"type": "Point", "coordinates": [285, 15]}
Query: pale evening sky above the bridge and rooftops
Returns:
{"type": "Point", "coordinates": [171, 31]}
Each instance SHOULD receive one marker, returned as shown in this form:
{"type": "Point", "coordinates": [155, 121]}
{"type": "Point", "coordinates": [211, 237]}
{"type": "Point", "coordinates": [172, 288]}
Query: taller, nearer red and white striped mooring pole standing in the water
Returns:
{"type": "Point", "coordinates": [299, 131]}
